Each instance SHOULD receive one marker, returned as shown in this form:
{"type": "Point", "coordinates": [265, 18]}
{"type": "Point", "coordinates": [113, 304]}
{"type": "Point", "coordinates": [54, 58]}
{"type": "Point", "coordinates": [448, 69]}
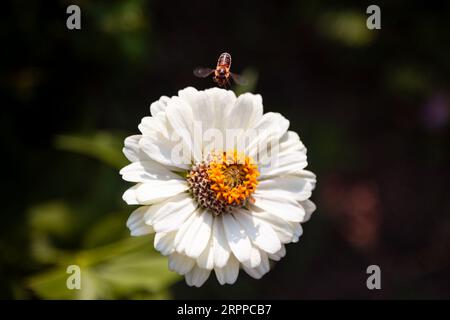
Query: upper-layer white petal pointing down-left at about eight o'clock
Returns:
{"type": "Point", "coordinates": [170, 215]}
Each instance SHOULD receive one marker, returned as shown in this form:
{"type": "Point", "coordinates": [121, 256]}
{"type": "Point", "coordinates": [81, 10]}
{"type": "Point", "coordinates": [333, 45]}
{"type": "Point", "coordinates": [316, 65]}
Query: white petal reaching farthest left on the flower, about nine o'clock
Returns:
{"type": "Point", "coordinates": [142, 171]}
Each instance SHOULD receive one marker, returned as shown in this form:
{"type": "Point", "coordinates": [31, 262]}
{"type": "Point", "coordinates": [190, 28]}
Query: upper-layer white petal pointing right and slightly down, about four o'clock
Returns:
{"type": "Point", "coordinates": [284, 208]}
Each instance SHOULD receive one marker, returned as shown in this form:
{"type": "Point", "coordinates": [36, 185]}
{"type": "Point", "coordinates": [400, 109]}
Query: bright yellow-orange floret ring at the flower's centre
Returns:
{"type": "Point", "coordinates": [233, 177]}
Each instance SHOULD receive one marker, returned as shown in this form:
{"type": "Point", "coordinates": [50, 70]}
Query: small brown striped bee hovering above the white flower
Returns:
{"type": "Point", "coordinates": [222, 72]}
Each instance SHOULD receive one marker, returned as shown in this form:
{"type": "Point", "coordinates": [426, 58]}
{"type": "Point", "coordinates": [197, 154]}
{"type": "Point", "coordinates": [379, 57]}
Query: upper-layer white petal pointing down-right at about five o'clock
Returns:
{"type": "Point", "coordinates": [259, 232]}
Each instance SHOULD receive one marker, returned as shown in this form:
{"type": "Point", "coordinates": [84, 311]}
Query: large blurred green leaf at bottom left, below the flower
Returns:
{"type": "Point", "coordinates": [115, 270]}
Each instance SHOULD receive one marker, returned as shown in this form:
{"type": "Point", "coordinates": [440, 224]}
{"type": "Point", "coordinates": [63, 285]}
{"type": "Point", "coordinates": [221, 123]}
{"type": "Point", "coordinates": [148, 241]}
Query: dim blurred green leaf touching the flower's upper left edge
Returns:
{"type": "Point", "coordinates": [103, 146]}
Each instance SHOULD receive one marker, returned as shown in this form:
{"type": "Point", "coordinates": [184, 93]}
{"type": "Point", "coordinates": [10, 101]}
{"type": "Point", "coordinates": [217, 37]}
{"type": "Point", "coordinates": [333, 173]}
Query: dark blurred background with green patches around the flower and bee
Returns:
{"type": "Point", "coordinates": [371, 106]}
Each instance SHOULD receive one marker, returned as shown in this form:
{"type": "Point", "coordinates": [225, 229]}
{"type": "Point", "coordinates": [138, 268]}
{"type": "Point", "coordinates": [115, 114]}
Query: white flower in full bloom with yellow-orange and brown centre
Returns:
{"type": "Point", "coordinates": [217, 201]}
